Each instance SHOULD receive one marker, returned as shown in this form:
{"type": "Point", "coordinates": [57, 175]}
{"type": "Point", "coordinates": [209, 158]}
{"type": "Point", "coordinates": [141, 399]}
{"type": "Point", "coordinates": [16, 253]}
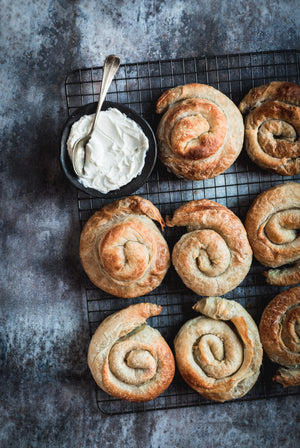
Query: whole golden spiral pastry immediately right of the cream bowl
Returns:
{"type": "Point", "coordinates": [201, 132]}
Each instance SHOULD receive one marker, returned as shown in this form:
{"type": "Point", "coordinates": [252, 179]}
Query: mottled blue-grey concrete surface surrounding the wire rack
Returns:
{"type": "Point", "coordinates": [46, 392]}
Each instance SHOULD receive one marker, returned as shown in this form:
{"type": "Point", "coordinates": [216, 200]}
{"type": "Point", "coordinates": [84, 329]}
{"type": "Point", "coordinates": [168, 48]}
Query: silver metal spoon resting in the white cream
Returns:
{"type": "Point", "coordinates": [110, 68]}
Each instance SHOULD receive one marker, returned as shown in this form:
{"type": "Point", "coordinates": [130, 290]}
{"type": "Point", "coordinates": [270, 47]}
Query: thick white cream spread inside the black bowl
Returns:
{"type": "Point", "coordinates": [115, 153]}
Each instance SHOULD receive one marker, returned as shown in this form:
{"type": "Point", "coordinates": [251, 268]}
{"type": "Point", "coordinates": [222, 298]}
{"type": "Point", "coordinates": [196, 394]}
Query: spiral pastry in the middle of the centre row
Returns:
{"type": "Point", "coordinates": [214, 256]}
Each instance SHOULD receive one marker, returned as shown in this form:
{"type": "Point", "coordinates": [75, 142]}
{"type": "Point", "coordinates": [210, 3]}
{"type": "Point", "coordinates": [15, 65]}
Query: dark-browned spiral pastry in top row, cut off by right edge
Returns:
{"type": "Point", "coordinates": [272, 127]}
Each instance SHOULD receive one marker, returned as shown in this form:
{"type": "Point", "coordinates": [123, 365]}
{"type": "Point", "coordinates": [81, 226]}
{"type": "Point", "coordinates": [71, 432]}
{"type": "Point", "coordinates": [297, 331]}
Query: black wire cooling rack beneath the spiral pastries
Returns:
{"type": "Point", "coordinates": [138, 86]}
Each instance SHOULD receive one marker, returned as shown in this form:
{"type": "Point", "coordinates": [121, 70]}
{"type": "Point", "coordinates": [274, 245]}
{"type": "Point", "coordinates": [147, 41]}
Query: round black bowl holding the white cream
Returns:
{"type": "Point", "coordinates": [138, 181]}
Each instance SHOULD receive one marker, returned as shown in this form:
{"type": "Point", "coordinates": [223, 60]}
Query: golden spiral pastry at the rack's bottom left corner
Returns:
{"type": "Point", "coordinates": [127, 358]}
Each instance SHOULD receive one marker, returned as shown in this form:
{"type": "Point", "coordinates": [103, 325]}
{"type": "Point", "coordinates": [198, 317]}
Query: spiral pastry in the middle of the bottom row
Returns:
{"type": "Point", "coordinates": [219, 354]}
